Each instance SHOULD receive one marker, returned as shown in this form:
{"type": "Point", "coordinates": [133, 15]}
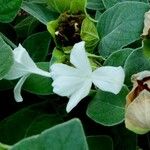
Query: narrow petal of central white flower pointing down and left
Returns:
{"type": "Point", "coordinates": [81, 93]}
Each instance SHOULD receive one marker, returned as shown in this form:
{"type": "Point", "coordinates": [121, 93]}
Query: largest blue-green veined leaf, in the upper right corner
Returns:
{"type": "Point", "coordinates": [120, 26]}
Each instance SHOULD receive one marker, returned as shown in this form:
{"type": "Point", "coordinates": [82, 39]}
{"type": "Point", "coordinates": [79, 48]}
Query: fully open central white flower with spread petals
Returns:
{"type": "Point", "coordinates": [75, 82]}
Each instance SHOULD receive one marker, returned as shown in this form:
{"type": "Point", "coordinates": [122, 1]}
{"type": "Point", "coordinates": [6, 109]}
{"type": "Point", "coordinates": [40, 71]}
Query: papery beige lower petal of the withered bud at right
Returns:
{"type": "Point", "coordinates": [137, 116]}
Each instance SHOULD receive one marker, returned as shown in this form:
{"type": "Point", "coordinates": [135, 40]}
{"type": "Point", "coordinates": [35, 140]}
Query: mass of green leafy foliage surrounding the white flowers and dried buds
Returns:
{"type": "Point", "coordinates": [40, 122]}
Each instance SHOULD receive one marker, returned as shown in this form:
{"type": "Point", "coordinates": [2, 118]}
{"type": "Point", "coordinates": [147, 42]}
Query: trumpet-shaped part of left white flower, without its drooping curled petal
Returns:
{"type": "Point", "coordinates": [23, 65]}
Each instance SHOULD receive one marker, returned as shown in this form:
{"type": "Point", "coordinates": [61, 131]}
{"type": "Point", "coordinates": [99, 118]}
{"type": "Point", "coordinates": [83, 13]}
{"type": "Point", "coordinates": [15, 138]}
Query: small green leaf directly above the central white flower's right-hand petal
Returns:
{"type": "Point", "coordinates": [118, 58]}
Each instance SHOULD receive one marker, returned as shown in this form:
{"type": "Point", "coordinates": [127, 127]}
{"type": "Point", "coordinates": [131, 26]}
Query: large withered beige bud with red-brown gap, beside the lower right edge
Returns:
{"type": "Point", "coordinates": [137, 115]}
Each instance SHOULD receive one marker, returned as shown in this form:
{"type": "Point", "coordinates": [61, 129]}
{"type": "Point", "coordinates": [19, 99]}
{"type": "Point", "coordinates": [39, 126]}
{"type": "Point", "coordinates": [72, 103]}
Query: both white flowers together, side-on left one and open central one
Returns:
{"type": "Point", "coordinates": [72, 81]}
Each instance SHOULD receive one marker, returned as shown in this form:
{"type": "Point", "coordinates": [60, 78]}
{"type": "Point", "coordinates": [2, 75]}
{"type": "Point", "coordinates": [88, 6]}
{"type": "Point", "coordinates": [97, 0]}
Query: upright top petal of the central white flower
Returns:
{"type": "Point", "coordinates": [79, 58]}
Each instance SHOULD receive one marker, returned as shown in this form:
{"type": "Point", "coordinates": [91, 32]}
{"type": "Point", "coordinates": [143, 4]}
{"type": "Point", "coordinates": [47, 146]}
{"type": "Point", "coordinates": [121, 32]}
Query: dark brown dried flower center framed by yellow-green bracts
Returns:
{"type": "Point", "coordinates": [68, 32]}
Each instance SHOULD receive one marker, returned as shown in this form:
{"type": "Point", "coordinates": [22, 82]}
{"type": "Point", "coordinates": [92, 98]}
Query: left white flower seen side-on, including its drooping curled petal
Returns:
{"type": "Point", "coordinates": [23, 66]}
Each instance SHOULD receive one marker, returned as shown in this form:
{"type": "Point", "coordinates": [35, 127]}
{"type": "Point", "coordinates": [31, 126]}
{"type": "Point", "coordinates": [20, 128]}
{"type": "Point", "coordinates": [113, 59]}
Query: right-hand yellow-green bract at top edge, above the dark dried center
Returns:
{"type": "Point", "coordinates": [78, 6]}
